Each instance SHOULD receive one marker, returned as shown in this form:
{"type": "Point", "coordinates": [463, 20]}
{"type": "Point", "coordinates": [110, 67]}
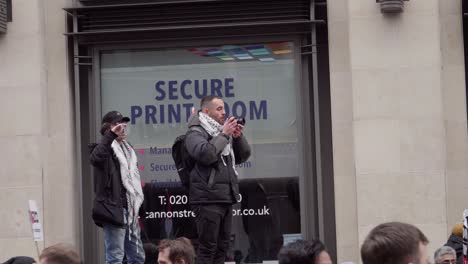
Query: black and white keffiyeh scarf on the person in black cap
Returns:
{"type": "Point", "coordinates": [131, 181]}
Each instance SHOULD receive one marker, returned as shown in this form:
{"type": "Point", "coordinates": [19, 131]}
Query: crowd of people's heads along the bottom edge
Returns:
{"type": "Point", "coordinates": [387, 243]}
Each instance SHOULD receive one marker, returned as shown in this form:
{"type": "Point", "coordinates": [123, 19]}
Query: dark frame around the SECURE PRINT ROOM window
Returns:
{"type": "Point", "coordinates": [310, 203]}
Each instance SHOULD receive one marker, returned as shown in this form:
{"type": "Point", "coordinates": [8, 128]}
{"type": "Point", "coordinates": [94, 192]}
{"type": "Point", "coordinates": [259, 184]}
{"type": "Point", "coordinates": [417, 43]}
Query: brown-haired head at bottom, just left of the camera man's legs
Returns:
{"type": "Point", "coordinates": [176, 251]}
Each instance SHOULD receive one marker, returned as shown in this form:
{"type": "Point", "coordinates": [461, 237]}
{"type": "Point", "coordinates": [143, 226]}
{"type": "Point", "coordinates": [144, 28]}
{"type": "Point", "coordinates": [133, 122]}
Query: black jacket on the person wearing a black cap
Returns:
{"type": "Point", "coordinates": [106, 169]}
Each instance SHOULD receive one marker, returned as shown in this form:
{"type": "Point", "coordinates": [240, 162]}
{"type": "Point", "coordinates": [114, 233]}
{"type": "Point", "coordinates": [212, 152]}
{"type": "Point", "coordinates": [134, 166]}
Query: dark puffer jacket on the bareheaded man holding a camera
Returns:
{"type": "Point", "coordinates": [210, 180]}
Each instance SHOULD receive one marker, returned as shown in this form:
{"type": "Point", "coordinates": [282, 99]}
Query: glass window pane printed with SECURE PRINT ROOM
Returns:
{"type": "Point", "coordinates": [158, 88]}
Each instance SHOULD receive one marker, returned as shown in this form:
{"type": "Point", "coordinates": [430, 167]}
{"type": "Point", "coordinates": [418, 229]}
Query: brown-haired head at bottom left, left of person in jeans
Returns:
{"type": "Point", "coordinates": [61, 253]}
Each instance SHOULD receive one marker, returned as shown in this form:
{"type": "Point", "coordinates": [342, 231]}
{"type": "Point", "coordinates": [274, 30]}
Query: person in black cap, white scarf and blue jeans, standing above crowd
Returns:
{"type": "Point", "coordinates": [118, 191]}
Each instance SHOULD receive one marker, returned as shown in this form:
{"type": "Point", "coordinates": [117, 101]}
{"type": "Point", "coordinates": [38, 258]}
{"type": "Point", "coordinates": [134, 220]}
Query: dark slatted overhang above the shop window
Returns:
{"type": "Point", "coordinates": [189, 19]}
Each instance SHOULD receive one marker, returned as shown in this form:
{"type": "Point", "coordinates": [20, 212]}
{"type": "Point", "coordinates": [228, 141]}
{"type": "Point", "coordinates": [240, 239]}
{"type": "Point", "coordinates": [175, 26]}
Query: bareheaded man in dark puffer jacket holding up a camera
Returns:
{"type": "Point", "coordinates": [217, 145]}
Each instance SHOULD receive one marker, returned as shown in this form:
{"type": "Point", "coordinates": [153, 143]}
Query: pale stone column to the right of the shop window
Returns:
{"type": "Point", "coordinates": [399, 118]}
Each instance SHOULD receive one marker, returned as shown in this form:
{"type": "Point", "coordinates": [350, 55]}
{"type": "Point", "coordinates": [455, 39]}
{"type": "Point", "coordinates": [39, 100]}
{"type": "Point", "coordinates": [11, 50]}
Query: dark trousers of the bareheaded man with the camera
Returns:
{"type": "Point", "coordinates": [214, 224]}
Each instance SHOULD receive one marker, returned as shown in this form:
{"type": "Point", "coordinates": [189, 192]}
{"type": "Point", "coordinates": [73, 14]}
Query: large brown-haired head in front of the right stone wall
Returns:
{"type": "Point", "coordinates": [395, 243]}
